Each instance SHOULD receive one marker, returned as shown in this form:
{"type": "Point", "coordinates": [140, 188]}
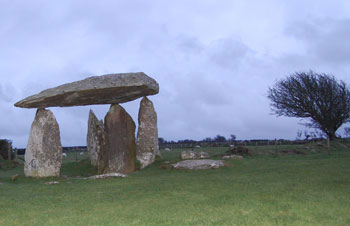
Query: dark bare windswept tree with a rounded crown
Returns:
{"type": "Point", "coordinates": [320, 98]}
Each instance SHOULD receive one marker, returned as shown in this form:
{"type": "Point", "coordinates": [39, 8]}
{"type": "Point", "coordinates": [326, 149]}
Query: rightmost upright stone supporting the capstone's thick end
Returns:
{"type": "Point", "coordinates": [147, 135]}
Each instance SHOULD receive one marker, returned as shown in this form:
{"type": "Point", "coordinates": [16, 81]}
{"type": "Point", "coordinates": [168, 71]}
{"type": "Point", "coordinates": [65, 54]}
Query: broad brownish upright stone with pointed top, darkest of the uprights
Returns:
{"type": "Point", "coordinates": [120, 147]}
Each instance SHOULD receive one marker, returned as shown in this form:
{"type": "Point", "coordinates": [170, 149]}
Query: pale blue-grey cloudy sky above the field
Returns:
{"type": "Point", "coordinates": [214, 60]}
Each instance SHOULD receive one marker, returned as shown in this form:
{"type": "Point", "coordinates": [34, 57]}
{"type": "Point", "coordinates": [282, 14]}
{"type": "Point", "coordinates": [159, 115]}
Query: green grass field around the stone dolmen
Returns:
{"type": "Point", "coordinates": [262, 189]}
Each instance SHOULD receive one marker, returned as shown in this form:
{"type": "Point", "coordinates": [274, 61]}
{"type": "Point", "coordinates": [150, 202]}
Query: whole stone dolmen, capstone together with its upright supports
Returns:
{"type": "Point", "coordinates": [111, 144]}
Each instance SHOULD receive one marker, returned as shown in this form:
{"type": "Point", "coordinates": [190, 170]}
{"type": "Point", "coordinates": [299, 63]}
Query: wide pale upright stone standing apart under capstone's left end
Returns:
{"type": "Point", "coordinates": [43, 156]}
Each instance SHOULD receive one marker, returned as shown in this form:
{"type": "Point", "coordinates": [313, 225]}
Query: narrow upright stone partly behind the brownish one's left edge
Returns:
{"type": "Point", "coordinates": [95, 138]}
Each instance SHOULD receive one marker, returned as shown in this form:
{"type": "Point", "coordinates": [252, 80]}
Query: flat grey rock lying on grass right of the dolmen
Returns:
{"type": "Point", "coordinates": [199, 164]}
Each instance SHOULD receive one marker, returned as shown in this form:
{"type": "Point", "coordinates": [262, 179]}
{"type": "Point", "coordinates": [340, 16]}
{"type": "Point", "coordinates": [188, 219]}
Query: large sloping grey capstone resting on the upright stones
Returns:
{"type": "Point", "coordinates": [105, 89]}
